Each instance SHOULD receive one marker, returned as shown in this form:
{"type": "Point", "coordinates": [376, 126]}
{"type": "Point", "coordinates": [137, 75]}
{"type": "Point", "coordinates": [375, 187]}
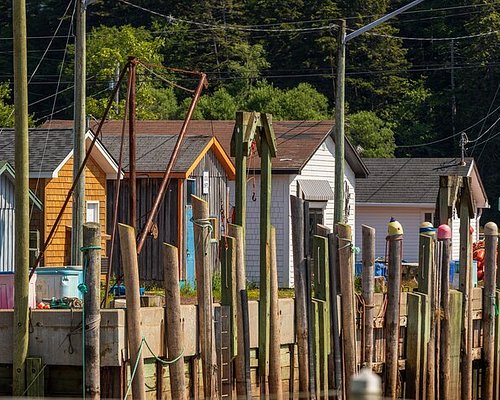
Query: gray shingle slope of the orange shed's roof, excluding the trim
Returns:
{"type": "Point", "coordinates": [48, 148]}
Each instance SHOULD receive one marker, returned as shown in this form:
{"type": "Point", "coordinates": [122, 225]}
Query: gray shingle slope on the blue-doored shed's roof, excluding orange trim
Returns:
{"type": "Point", "coordinates": [153, 151]}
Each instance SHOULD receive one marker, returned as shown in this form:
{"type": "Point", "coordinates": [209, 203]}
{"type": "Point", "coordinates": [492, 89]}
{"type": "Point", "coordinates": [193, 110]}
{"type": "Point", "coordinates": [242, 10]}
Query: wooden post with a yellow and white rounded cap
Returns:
{"type": "Point", "coordinates": [395, 245]}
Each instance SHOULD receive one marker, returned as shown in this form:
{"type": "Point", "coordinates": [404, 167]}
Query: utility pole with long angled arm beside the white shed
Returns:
{"type": "Point", "coordinates": [339, 105]}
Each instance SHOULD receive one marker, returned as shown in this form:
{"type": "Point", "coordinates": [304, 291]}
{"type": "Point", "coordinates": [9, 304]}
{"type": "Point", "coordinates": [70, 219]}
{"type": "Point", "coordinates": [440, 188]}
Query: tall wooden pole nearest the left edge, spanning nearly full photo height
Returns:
{"type": "Point", "coordinates": [21, 280]}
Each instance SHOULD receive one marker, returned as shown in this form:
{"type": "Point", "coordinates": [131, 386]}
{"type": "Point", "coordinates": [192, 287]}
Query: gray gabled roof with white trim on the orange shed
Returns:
{"type": "Point", "coordinates": [50, 149]}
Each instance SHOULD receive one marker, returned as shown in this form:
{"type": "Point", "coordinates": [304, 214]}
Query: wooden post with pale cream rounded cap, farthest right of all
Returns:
{"type": "Point", "coordinates": [490, 265]}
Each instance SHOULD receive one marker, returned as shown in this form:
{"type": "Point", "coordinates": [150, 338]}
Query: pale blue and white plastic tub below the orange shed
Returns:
{"type": "Point", "coordinates": [58, 282]}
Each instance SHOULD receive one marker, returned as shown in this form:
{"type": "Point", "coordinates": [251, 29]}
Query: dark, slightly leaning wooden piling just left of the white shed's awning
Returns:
{"type": "Point", "coordinates": [299, 273]}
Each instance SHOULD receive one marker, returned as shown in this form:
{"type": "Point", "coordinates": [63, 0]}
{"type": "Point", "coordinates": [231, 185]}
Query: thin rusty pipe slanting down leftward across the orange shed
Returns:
{"type": "Point", "coordinates": [82, 168]}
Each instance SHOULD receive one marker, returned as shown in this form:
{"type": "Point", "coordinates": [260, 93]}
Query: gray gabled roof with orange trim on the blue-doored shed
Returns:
{"type": "Point", "coordinates": [154, 151]}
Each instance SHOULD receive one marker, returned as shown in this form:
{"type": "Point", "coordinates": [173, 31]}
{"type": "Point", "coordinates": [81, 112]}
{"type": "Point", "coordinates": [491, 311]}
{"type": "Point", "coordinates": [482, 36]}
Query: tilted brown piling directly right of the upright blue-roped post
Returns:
{"type": "Point", "coordinates": [134, 332]}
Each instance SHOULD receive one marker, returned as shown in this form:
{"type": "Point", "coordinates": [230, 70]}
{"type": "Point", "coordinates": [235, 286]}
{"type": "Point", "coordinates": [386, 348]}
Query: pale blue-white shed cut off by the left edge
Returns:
{"type": "Point", "coordinates": [7, 215]}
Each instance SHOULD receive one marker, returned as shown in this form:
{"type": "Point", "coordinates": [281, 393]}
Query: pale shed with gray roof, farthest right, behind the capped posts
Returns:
{"type": "Point", "coordinates": [407, 189]}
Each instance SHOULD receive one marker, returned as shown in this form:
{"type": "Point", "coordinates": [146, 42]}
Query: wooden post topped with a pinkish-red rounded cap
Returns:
{"type": "Point", "coordinates": [444, 237]}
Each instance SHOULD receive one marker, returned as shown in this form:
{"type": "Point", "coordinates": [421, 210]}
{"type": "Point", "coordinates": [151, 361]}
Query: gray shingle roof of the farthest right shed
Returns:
{"type": "Point", "coordinates": [406, 180]}
